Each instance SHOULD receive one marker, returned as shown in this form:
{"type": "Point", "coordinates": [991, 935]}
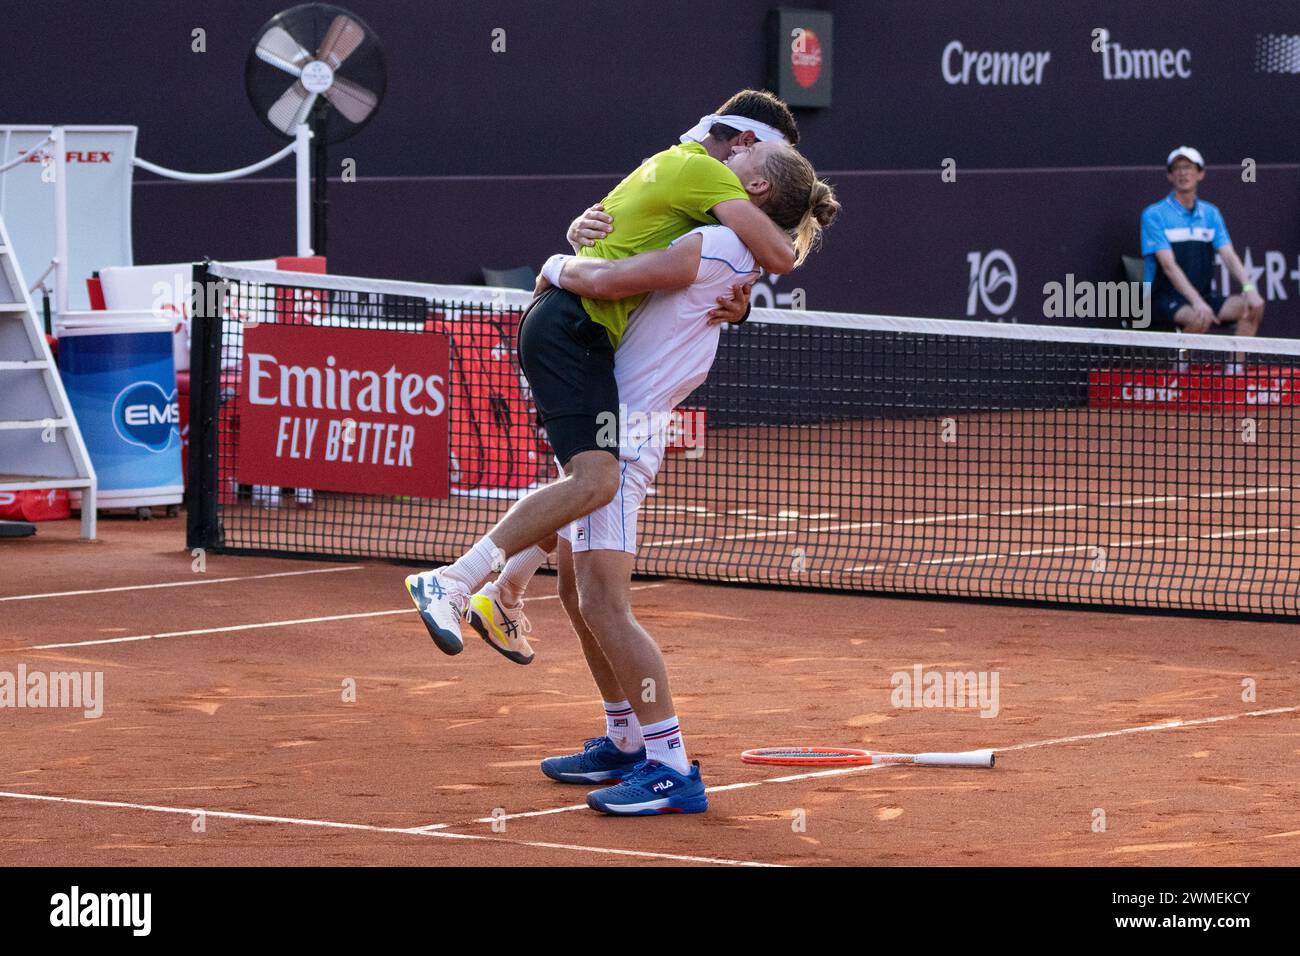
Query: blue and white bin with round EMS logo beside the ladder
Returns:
{"type": "Point", "coordinates": [120, 377]}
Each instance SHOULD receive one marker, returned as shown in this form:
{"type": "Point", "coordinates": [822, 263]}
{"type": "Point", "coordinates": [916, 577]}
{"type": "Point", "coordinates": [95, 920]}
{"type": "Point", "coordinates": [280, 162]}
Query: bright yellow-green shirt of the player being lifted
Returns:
{"type": "Point", "coordinates": [669, 194]}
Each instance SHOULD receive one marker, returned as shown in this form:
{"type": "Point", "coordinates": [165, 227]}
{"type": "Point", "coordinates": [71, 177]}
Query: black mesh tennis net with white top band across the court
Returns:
{"type": "Point", "coordinates": [874, 455]}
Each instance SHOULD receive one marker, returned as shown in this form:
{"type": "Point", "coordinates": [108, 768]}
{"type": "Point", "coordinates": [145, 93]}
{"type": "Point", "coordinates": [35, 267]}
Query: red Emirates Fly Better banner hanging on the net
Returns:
{"type": "Point", "coordinates": [345, 410]}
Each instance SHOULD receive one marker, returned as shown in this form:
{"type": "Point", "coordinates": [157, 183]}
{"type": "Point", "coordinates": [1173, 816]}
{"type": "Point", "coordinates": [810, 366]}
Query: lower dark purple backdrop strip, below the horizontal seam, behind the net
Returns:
{"type": "Point", "coordinates": [907, 244]}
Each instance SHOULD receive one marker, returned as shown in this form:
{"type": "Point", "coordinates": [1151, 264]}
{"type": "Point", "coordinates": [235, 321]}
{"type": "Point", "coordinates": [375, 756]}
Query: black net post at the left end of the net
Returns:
{"type": "Point", "coordinates": [201, 490]}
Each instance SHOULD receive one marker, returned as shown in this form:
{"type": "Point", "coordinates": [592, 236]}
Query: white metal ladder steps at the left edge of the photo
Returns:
{"type": "Point", "coordinates": [41, 445]}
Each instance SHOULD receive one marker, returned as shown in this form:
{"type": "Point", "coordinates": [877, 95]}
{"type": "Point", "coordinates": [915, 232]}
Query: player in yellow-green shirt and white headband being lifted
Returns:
{"type": "Point", "coordinates": [567, 343]}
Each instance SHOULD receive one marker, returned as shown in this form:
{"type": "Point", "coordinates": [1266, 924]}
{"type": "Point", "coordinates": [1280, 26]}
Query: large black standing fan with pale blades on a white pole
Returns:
{"type": "Point", "coordinates": [339, 80]}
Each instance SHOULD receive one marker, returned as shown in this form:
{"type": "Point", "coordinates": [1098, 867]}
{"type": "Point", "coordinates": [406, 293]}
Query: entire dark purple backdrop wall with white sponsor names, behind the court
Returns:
{"type": "Point", "coordinates": [1056, 119]}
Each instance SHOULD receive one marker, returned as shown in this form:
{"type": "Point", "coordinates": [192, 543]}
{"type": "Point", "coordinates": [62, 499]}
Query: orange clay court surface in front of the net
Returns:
{"type": "Point", "coordinates": [224, 694]}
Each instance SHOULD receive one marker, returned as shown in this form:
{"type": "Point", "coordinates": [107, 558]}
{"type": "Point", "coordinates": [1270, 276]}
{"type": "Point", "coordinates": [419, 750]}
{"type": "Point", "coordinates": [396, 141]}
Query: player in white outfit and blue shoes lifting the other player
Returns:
{"type": "Point", "coordinates": [665, 356]}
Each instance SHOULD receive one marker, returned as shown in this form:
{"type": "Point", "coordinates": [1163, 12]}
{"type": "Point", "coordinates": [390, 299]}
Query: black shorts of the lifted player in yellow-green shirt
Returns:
{"type": "Point", "coordinates": [569, 361]}
